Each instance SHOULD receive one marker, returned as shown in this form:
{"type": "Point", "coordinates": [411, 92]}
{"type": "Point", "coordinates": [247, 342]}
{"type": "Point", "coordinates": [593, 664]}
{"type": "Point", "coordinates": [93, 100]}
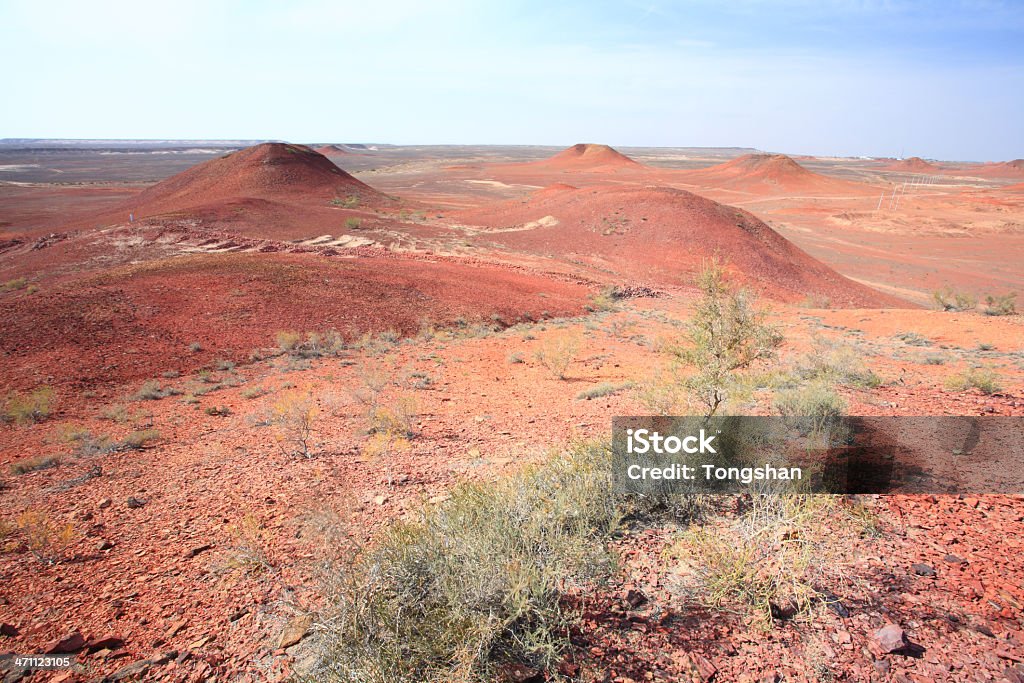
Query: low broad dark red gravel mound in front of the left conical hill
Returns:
{"type": "Point", "coordinates": [135, 322]}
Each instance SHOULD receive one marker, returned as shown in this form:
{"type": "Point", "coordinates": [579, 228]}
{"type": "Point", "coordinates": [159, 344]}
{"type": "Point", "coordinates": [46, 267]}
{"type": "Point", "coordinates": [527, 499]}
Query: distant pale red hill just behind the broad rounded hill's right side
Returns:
{"type": "Point", "coordinates": [769, 174]}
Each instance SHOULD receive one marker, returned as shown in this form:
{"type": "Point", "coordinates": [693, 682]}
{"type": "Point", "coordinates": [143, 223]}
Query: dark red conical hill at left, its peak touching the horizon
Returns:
{"type": "Point", "coordinates": [271, 172]}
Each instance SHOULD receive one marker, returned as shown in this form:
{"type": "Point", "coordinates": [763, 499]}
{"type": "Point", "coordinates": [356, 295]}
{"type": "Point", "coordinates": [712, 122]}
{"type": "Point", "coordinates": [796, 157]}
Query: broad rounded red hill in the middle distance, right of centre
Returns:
{"type": "Point", "coordinates": [663, 236]}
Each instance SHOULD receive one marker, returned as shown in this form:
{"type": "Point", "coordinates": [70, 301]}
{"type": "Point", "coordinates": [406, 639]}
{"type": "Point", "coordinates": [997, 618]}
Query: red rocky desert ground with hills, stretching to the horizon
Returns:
{"type": "Point", "coordinates": [232, 373]}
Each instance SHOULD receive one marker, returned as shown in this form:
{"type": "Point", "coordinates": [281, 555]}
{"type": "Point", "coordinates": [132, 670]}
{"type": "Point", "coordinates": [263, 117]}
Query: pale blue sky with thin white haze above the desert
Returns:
{"type": "Point", "coordinates": [932, 79]}
